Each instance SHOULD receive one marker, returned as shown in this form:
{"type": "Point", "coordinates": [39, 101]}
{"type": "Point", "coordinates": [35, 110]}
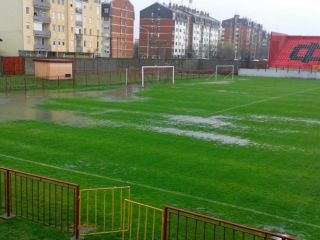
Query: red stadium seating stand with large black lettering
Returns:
{"type": "Point", "coordinates": [294, 52]}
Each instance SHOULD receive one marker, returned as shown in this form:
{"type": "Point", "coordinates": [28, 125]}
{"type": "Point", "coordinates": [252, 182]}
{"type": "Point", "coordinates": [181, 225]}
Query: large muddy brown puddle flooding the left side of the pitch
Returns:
{"type": "Point", "coordinates": [16, 106]}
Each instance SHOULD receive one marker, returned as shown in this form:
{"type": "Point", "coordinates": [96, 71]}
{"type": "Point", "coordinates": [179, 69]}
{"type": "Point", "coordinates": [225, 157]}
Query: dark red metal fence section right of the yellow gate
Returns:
{"type": "Point", "coordinates": [181, 224]}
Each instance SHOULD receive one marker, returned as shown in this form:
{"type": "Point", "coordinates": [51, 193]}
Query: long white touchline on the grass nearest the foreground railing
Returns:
{"type": "Point", "coordinates": [164, 191]}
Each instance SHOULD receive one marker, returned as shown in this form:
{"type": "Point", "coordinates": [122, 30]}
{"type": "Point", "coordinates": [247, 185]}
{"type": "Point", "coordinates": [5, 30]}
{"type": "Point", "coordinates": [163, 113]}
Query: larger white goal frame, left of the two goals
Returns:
{"type": "Point", "coordinates": [157, 74]}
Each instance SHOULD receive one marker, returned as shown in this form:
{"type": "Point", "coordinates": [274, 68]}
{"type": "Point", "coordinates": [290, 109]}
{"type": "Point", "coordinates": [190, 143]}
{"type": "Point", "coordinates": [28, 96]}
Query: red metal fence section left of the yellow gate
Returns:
{"type": "Point", "coordinates": [41, 200]}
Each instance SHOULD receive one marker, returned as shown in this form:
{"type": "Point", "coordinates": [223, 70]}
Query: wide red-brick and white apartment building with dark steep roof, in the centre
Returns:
{"type": "Point", "coordinates": [177, 31]}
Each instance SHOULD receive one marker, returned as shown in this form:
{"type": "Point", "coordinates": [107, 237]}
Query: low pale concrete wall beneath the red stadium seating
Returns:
{"type": "Point", "coordinates": [279, 73]}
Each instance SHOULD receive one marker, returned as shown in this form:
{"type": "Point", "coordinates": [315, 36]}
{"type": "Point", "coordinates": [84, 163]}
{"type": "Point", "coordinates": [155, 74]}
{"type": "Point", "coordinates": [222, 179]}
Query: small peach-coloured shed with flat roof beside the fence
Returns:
{"type": "Point", "coordinates": [53, 69]}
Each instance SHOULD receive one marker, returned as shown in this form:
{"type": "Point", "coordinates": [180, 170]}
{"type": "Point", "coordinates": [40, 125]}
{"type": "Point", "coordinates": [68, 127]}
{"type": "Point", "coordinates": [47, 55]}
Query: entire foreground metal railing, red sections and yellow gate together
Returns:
{"type": "Point", "coordinates": [61, 205]}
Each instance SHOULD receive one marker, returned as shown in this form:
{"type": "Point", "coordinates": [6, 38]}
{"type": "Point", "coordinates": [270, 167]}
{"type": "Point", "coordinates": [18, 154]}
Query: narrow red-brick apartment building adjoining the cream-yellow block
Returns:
{"type": "Point", "coordinates": [118, 29]}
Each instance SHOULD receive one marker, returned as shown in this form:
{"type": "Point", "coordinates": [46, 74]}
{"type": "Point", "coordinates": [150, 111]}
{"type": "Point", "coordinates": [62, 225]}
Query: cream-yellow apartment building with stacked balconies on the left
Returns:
{"type": "Point", "coordinates": [50, 27]}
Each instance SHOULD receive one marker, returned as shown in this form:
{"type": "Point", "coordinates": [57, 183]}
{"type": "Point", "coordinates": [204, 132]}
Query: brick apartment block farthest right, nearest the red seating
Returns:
{"type": "Point", "coordinates": [248, 38]}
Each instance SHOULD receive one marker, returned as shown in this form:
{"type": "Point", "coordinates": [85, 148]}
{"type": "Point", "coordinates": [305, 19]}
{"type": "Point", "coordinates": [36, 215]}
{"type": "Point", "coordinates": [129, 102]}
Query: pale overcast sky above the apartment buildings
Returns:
{"type": "Point", "coordinates": [293, 17]}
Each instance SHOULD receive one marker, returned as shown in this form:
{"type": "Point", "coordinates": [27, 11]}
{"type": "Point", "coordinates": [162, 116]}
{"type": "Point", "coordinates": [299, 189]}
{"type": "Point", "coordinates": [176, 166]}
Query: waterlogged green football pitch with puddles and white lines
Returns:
{"type": "Point", "coordinates": [245, 150]}
